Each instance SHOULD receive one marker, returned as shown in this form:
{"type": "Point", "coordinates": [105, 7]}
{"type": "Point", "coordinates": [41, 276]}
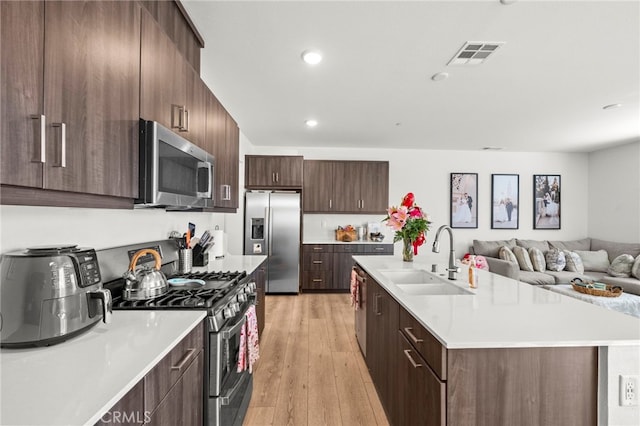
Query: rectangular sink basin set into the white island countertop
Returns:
{"type": "Point", "coordinates": [421, 282]}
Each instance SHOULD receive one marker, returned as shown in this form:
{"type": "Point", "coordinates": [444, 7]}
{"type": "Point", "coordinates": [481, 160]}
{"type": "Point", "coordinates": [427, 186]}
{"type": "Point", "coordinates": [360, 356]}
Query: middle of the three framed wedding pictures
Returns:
{"type": "Point", "coordinates": [505, 198]}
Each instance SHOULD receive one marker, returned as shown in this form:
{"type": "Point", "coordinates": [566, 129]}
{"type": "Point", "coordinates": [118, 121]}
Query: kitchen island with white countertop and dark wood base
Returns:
{"type": "Point", "coordinates": [504, 353]}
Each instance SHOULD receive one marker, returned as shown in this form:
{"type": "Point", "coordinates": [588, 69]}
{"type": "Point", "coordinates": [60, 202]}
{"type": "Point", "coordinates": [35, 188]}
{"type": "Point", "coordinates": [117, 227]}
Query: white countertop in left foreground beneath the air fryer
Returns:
{"type": "Point", "coordinates": [77, 381]}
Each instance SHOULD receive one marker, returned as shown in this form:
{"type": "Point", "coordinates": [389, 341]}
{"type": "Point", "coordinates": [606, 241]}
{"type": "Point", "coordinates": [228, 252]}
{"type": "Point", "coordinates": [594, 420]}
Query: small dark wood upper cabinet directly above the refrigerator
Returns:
{"type": "Point", "coordinates": [270, 171]}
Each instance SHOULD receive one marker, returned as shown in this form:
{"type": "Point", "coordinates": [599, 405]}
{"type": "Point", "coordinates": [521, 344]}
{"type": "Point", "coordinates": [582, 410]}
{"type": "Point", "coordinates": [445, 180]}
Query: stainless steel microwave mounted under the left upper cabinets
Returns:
{"type": "Point", "coordinates": [174, 173]}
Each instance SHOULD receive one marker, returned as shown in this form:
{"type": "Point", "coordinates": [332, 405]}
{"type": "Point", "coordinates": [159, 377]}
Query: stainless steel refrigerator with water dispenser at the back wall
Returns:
{"type": "Point", "coordinates": [272, 228]}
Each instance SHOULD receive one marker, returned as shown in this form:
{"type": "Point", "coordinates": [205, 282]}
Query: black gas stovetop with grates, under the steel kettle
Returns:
{"type": "Point", "coordinates": [191, 296]}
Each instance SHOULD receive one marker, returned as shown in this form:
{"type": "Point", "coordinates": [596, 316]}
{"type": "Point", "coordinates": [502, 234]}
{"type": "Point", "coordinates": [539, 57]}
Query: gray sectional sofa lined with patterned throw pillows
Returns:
{"type": "Point", "coordinates": [490, 250]}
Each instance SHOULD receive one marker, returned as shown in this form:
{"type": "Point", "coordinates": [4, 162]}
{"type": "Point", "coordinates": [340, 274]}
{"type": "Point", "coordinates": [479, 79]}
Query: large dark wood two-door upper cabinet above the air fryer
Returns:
{"type": "Point", "coordinates": [70, 104]}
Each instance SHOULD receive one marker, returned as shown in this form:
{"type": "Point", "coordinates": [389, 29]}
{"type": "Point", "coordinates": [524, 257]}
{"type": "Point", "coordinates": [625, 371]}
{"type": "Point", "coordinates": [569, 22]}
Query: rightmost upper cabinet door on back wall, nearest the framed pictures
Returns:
{"type": "Point", "coordinates": [374, 187]}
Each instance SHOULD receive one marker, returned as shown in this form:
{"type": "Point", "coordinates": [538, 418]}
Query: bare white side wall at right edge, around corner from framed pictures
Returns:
{"type": "Point", "coordinates": [614, 193]}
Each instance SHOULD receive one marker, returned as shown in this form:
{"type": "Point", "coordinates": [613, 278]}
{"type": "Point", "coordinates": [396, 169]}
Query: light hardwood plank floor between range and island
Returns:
{"type": "Point", "coordinates": [311, 371]}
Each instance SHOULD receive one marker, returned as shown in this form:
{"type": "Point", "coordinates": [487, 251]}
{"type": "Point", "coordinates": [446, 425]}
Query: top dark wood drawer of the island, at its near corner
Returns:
{"type": "Point", "coordinates": [428, 346]}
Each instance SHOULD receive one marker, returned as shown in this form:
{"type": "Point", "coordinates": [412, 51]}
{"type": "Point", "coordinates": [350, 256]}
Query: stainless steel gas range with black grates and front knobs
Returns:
{"type": "Point", "coordinates": [226, 296]}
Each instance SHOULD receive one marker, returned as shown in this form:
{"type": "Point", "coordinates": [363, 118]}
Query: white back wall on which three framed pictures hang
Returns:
{"type": "Point", "coordinates": [426, 173]}
